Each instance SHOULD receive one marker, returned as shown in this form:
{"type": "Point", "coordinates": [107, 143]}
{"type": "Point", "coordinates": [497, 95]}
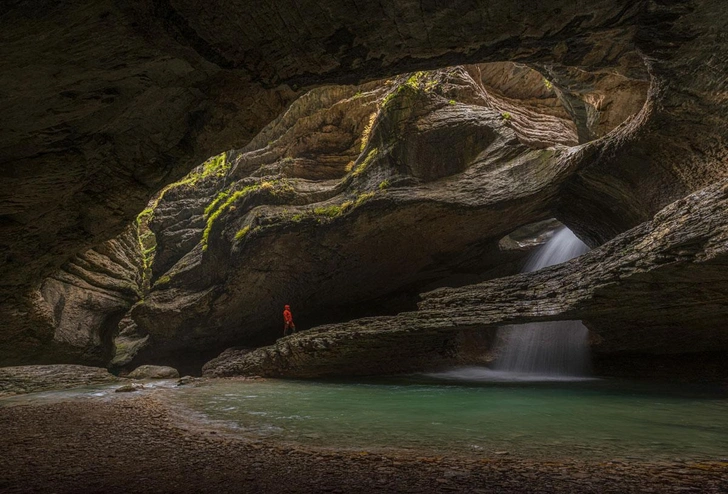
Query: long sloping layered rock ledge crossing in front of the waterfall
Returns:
{"type": "Point", "coordinates": [659, 288]}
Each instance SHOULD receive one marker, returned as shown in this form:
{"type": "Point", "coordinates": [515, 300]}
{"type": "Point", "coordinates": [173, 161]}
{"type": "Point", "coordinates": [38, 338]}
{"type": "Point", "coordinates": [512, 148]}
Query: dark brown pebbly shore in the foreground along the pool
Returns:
{"type": "Point", "coordinates": [139, 444]}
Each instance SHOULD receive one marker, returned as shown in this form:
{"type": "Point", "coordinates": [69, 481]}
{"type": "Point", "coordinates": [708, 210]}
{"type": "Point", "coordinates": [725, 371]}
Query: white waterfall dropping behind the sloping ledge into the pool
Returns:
{"type": "Point", "coordinates": [547, 348]}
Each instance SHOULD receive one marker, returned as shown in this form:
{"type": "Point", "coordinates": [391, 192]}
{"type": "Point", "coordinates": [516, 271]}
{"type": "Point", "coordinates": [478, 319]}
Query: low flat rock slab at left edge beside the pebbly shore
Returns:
{"type": "Point", "coordinates": [34, 378]}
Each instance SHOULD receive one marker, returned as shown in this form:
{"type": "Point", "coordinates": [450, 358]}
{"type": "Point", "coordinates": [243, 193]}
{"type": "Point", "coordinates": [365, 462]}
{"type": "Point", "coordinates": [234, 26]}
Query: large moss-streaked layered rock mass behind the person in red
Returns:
{"type": "Point", "coordinates": [318, 211]}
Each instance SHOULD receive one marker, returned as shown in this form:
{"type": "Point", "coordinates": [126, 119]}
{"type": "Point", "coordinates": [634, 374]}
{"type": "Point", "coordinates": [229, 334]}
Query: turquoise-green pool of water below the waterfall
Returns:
{"type": "Point", "coordinates": [434, 413]}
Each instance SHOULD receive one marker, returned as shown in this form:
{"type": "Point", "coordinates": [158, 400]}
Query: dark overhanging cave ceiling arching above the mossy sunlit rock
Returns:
{"type": "Point", "coordinates": [120, 99]}
